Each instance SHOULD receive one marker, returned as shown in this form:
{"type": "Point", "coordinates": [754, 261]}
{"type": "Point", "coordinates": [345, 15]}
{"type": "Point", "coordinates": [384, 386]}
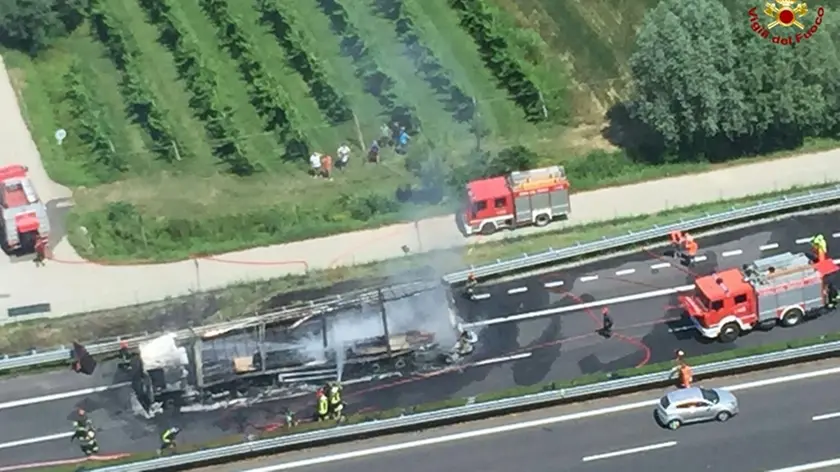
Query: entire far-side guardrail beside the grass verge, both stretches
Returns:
{"type": "Point", "coordinates": [499, 267]}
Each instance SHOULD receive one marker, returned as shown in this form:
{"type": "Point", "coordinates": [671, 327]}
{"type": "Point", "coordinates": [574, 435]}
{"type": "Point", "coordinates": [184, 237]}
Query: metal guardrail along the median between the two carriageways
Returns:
{"type": "Point", "coordinates": [454, 415]}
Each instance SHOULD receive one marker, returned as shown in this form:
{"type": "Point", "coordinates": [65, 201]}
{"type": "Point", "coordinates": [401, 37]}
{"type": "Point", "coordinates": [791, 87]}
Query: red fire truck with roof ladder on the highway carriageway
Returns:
{"type": "Point", "coordinates": [783, 289]}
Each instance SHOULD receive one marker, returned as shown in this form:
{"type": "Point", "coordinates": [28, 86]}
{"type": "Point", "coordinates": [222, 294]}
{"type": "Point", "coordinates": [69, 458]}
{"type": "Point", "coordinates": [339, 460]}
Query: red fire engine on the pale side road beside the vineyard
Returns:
{"type": "Point", "coordinates": [521, 198]}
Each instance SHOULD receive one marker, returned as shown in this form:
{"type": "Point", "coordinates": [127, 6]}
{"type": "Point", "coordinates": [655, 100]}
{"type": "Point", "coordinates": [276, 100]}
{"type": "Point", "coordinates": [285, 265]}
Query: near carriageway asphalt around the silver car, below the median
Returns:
{"type": "Point", "coordinates": [779, 426]}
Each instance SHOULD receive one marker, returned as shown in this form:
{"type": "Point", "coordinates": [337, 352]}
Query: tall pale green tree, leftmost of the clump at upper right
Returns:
{"type": "Point", "coordinates": [683, 73]}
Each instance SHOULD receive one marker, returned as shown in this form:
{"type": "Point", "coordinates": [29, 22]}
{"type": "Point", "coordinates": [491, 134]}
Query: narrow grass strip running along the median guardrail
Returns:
{"type": "Point", "coordinates": [491, 396]}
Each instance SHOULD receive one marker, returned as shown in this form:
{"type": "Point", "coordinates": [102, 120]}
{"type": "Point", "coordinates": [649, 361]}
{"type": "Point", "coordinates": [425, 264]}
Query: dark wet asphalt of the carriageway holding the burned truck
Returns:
{"type": "Point", "coordinates": [548, 348]}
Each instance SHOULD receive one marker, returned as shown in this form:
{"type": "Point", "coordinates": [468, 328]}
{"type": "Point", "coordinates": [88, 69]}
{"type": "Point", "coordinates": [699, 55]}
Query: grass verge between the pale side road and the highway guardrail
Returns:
{"type": "Point", "coordinates": [246, 299]}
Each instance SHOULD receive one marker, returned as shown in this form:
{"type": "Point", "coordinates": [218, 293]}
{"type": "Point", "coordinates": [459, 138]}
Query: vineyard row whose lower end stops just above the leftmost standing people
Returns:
{"type": "Point", "coordinates": [267, 96]}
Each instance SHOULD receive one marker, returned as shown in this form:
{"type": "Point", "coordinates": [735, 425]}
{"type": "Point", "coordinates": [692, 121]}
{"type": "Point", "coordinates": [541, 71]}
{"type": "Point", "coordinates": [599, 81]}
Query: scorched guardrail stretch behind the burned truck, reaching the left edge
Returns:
{"type": "Point", "coordinates": [315, 307]}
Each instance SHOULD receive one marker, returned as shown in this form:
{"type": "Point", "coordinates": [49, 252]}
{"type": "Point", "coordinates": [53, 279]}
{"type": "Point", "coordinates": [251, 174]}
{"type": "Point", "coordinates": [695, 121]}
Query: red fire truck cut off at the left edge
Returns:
{"type": "Point", "coordinates": [24, 214]}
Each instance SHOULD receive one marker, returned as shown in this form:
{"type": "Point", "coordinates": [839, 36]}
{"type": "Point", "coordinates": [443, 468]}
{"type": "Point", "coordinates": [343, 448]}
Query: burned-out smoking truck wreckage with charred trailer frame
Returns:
{"type": "Point", "coordinates": [378, 334]}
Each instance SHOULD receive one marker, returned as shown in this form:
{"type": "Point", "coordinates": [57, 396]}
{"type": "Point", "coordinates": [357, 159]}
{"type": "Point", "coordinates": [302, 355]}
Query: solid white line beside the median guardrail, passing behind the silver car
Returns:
{"type": "Point", "coordinates": [325, 459]}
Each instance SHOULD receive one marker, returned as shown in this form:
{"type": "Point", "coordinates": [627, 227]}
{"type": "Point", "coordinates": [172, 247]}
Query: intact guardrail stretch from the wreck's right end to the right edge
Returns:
{"type": "Point", "coordinates": [527, 261]}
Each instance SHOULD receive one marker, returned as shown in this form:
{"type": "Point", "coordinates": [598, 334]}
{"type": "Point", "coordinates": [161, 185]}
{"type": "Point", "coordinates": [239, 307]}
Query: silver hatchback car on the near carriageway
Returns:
{"type": "Point", "coordinates": [694, 405]}
